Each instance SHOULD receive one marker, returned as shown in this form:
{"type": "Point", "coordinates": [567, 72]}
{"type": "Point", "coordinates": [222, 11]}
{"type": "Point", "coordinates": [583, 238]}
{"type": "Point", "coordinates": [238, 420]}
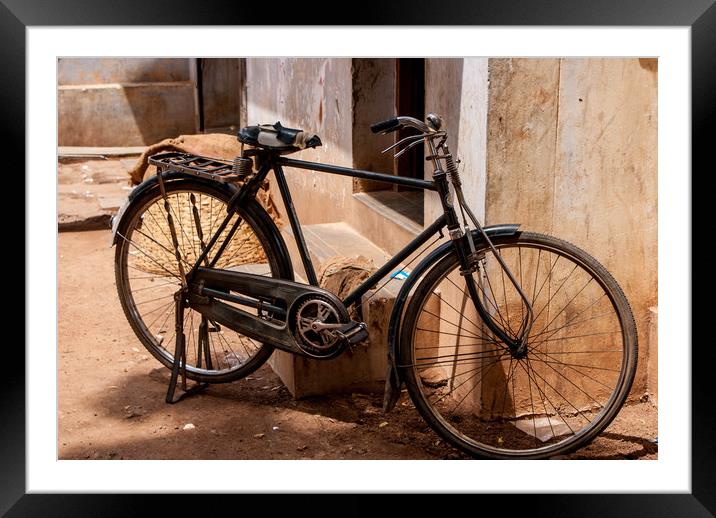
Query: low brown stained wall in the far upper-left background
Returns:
{"type": "Point", "coordinates": [124, 101]}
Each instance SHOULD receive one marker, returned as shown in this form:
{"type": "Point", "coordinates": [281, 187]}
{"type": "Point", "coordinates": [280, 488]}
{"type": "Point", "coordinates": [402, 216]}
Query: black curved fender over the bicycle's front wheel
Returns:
{"type": "Point", "coordinates": [393, 380]}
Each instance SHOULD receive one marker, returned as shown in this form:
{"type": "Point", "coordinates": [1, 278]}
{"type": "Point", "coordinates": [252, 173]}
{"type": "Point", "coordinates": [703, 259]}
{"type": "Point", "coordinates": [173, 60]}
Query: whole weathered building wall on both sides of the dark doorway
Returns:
{"type": "Point", "coordinates": [562, 146]}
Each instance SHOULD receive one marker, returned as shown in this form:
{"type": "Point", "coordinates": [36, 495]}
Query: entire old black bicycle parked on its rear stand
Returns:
{"type": "Point", "coordinates": [511, 344]}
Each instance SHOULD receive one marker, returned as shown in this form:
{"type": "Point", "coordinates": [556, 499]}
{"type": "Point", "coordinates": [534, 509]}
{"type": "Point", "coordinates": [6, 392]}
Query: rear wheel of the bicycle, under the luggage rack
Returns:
{"type": "Point", "coordinates": [147, 274]}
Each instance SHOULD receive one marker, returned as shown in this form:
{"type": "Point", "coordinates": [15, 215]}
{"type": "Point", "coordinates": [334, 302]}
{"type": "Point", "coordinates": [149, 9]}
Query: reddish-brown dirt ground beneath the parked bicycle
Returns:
{"type": "Point", "coordinates": [111, 396]}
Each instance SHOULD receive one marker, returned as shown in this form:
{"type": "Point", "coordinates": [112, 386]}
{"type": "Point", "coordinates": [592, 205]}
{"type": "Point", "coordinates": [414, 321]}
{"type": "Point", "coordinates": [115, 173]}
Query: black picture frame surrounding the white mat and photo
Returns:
{"type": "Point", "coordinates": [700, 15]}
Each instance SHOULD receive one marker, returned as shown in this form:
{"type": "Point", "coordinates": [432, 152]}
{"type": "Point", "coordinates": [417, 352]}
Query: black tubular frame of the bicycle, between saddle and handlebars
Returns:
{"type": "Point", "coordinates": [271, 161]}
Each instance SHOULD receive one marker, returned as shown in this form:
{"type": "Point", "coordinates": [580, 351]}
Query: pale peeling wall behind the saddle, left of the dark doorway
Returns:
{"type": "Point", "coordinates": [314, 95]}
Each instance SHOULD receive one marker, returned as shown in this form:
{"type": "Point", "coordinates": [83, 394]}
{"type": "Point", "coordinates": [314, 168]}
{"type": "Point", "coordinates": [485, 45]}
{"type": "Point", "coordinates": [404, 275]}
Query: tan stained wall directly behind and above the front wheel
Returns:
{"type": "Point", "coordinates": [572, 151]}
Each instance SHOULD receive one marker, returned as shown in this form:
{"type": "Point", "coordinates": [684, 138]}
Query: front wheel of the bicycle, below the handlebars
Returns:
{"type": "Point", "coordinates": [490, 402]}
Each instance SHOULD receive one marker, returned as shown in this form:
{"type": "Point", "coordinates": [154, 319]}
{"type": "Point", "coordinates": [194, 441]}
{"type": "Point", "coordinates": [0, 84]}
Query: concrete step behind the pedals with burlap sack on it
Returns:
{"type": "Point", "coordinates": [365, 367]}
